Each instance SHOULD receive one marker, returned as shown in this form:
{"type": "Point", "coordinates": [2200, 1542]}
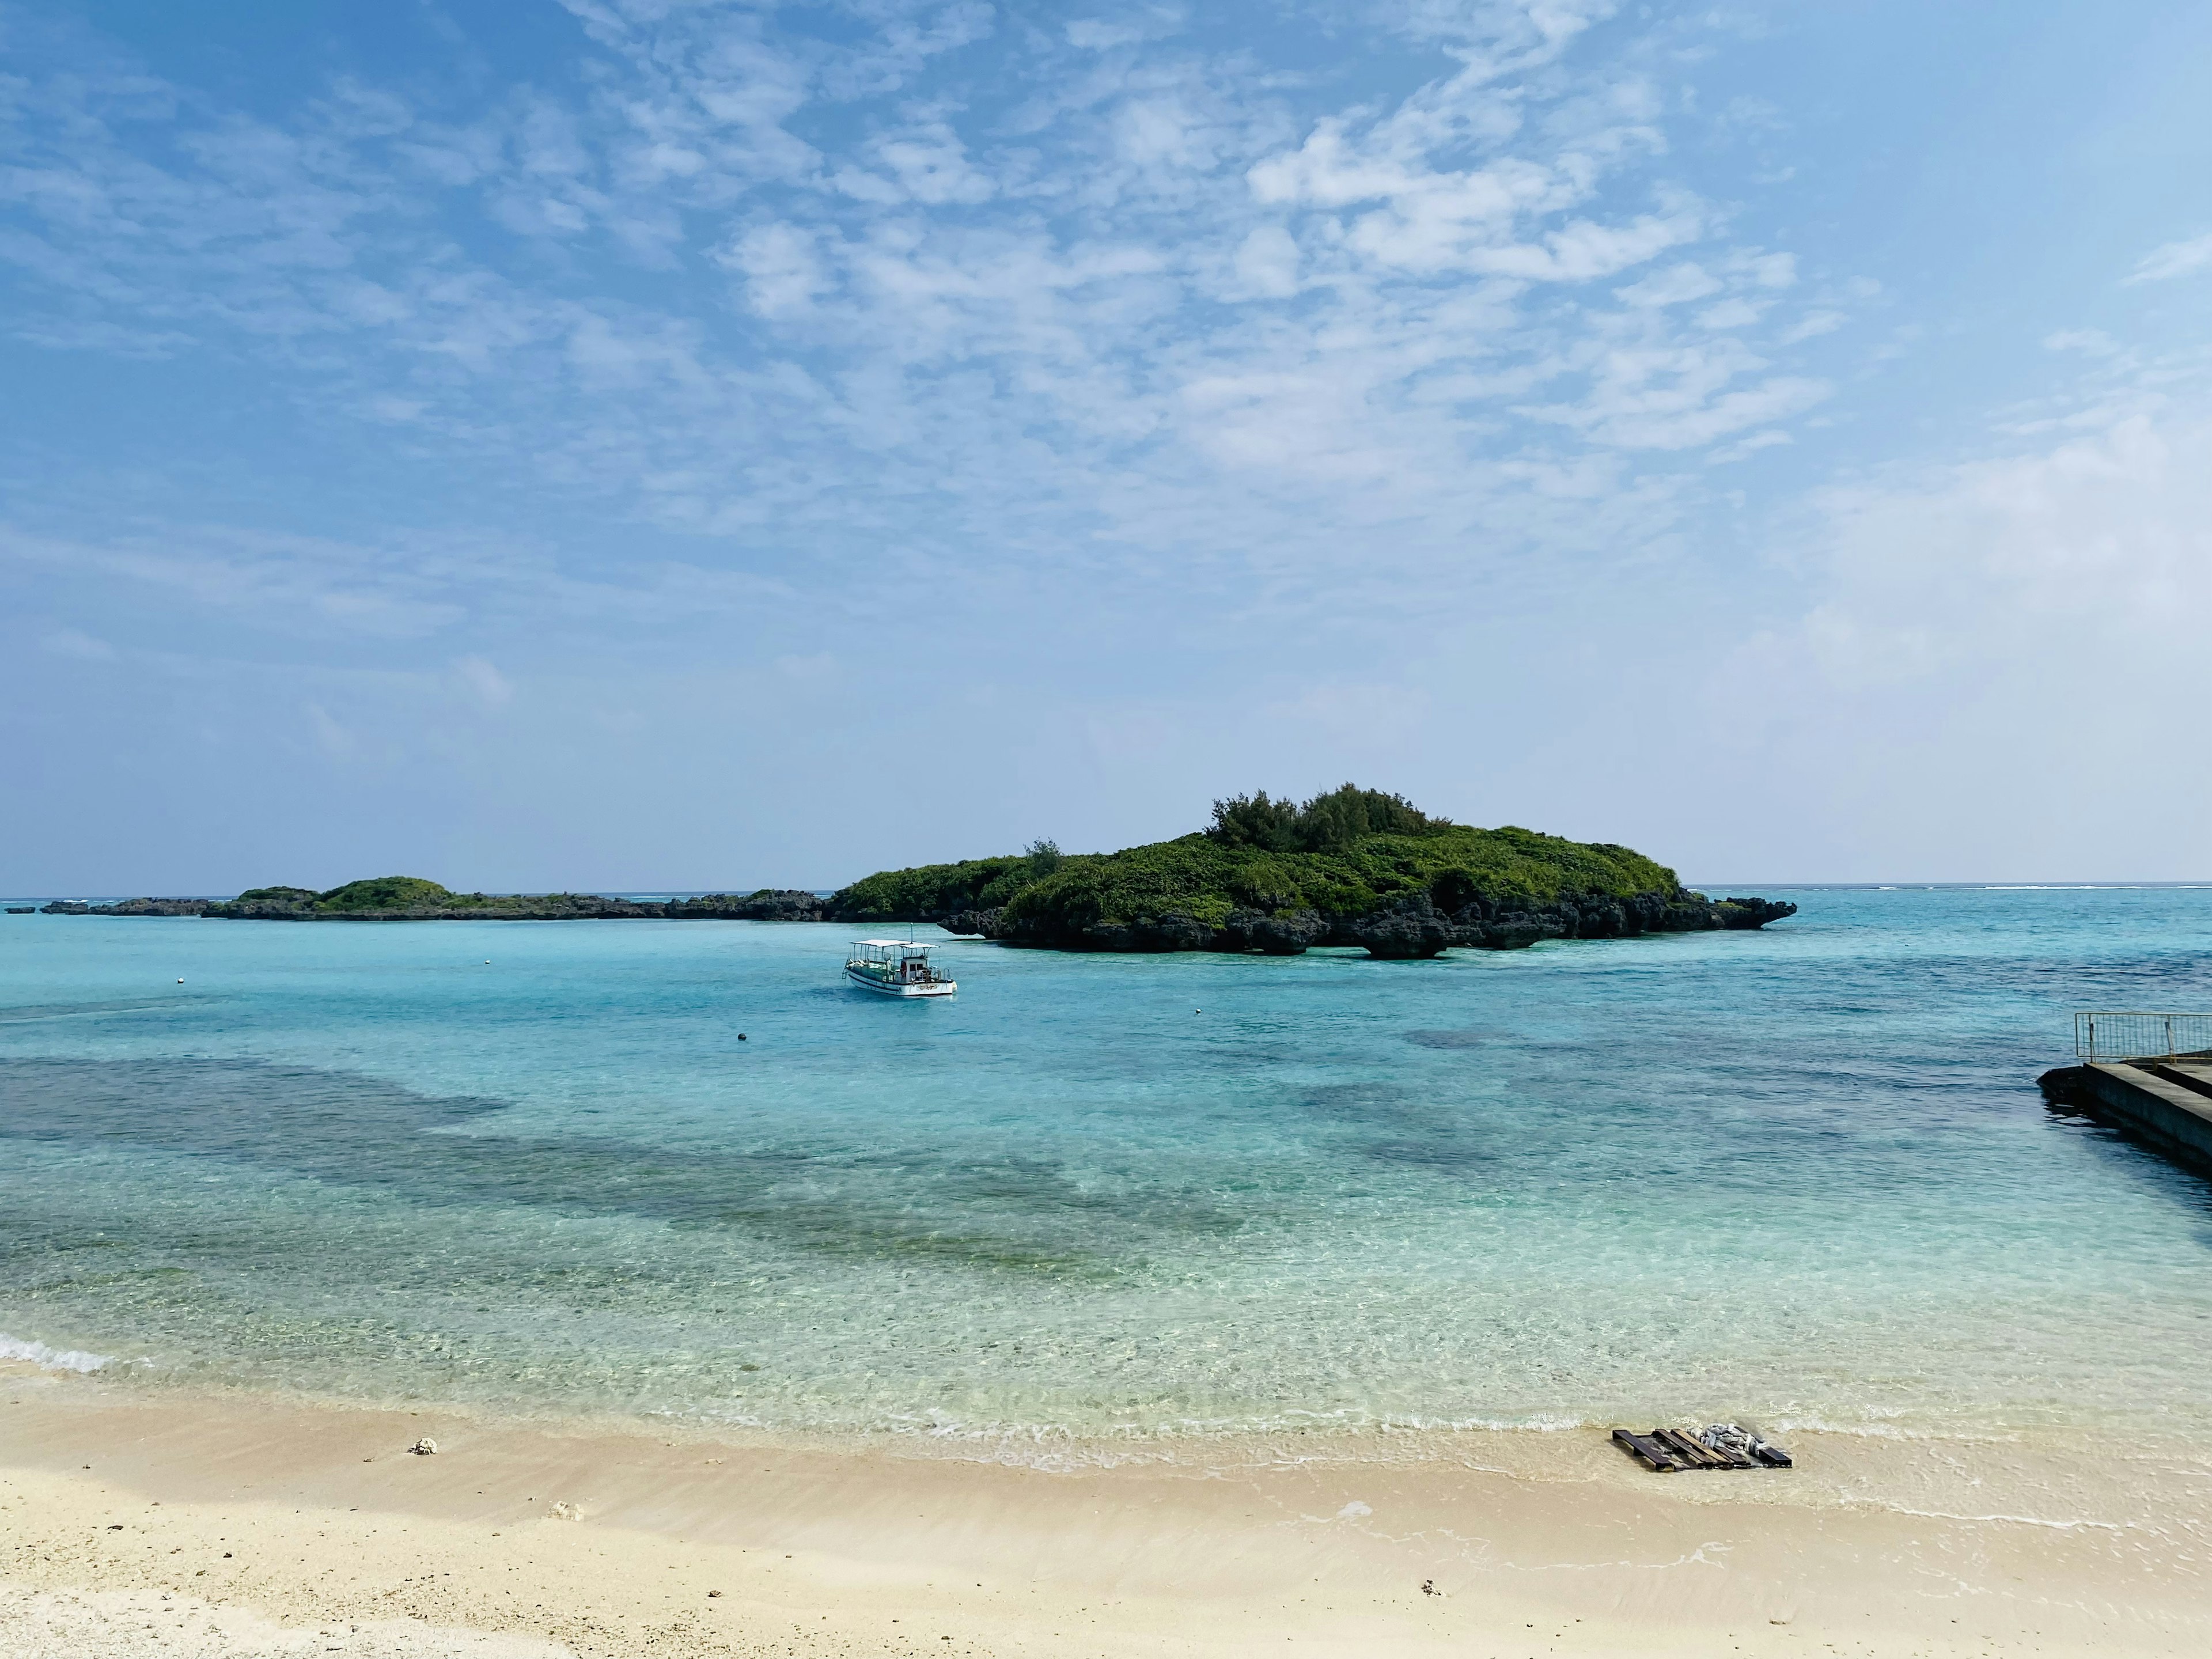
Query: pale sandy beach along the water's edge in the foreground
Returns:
{"type": "Point", "coordinates": [158, 1525]}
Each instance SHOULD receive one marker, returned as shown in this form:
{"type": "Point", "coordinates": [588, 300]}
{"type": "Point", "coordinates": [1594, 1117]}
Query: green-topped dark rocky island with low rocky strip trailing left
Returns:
{"type": "Point", "coordinates": [1353, 868]}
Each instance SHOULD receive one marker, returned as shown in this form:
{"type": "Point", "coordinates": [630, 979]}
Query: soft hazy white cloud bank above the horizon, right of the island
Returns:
{"type": "Point", "coordinates": [1990, 651]}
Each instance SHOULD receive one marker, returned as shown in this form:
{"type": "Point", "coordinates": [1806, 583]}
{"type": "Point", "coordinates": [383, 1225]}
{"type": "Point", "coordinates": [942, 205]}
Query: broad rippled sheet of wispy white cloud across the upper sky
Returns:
{"type": "Point", "coordinates": [751, 289]}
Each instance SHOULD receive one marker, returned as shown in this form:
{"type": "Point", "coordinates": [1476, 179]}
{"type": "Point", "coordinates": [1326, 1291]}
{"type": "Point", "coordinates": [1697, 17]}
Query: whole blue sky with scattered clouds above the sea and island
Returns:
{"type": "Point", "coordinates": [674, 446]}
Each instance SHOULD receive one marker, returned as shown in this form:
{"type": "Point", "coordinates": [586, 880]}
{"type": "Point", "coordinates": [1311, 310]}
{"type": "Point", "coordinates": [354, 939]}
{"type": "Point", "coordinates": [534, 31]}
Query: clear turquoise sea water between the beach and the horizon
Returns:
{"type": "Point", "coordinates": [1799, 1176]}
